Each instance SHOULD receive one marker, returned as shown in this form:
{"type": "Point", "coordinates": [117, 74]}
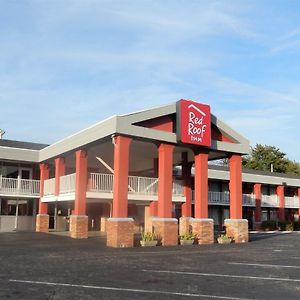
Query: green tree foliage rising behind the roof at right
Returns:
{"type": "Point", "coordinates": [262, 157]}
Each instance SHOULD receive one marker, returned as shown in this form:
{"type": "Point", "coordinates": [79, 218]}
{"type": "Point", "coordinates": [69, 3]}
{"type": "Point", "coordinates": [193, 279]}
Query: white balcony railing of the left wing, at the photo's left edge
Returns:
{"type": "Point", "coordinates": [15, 186]}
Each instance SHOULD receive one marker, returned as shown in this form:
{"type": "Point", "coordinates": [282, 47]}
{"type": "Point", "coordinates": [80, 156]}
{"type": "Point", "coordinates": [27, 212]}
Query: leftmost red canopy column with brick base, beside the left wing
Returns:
{"type": "Point", "coordinates": [42, 218]}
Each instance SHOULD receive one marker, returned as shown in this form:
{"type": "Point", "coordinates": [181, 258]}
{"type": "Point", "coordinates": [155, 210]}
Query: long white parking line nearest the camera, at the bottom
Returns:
{"type": "Point", "coordinates": [125, 289]}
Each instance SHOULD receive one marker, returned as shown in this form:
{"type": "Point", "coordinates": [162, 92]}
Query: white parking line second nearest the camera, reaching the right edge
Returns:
{"type": "Point", "coordinates": [223, 275]}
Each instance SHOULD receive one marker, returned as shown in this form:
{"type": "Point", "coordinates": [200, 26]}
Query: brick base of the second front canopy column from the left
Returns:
{"type": "Point", "coordinates": [166, 230]}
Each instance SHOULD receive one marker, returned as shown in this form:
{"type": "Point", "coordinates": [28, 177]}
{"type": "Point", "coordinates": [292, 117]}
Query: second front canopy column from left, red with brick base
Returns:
{"type": "Point", "coordinates": [165, 227]}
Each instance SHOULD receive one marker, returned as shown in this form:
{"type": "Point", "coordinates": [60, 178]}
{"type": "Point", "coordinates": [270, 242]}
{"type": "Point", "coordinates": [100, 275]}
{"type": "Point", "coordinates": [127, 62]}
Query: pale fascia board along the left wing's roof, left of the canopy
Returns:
{"type": "Point", "coordinates": [18, 154]}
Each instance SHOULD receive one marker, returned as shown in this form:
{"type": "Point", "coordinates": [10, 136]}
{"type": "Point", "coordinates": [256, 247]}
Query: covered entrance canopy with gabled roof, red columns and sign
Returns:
{"type": "Point", "coordinates": [125, 152]}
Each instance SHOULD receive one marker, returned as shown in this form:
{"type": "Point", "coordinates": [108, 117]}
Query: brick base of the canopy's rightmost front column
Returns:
{"type": "Point", "coordinates": [237, 229]}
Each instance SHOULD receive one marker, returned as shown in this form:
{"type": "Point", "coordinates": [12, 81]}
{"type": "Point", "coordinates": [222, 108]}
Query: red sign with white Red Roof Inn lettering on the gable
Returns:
{"type": "Point", "coordinates": [193, 121]}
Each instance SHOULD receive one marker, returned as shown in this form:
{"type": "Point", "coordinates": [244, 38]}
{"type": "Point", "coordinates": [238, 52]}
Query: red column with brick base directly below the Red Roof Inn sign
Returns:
{"type": "Point", "coordinates": [202, 226]}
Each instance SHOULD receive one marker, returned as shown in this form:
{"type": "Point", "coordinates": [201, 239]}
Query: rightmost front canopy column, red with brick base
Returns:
{"type": "Point", "coordinates": [236, 227]}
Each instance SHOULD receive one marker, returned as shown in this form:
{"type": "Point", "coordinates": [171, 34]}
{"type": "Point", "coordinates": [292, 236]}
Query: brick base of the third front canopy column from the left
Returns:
{"type": "Point", "coordinates": [203, 229]}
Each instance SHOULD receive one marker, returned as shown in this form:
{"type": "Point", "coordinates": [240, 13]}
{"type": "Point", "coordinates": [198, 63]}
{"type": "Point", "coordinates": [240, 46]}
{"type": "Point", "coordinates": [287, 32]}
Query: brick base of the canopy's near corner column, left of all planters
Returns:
{"type": "Point", "coordinates": [120, 232]}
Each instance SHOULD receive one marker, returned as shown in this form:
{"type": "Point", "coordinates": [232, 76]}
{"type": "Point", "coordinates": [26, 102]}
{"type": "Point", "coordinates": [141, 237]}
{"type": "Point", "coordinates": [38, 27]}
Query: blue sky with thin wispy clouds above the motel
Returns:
{"type": "Point", "coordinates": [65, 65]}
